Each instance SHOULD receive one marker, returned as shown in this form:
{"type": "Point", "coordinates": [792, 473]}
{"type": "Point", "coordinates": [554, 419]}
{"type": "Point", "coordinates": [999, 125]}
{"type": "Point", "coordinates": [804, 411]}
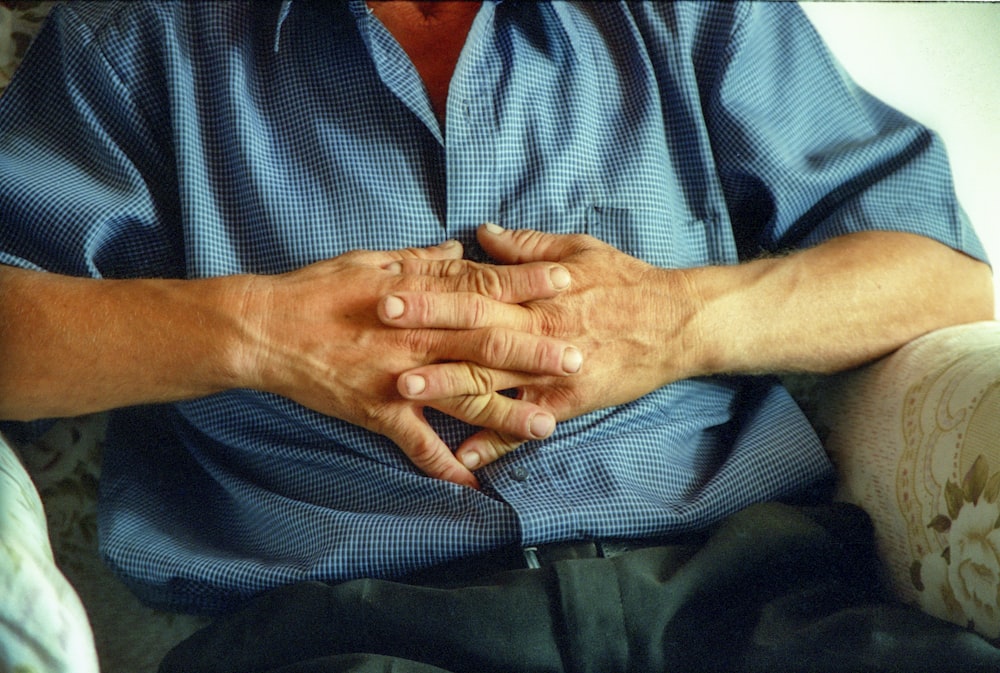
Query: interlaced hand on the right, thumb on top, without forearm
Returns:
{"type": "Point", "coordinates": [628, 319]}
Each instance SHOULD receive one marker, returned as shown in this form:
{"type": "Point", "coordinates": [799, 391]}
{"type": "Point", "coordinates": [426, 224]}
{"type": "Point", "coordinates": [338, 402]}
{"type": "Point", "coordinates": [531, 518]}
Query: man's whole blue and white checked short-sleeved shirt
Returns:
{"type": "Point", "coordinates": [685, 134]}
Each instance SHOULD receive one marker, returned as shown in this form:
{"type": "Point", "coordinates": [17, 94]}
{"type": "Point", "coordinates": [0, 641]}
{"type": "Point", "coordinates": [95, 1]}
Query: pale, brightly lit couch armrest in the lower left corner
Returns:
{"type": "Point", "coordinates": [43, 626]}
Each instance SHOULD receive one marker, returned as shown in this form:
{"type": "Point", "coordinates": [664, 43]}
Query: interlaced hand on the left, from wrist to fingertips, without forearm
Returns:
{"type": "Point", "coordinates": [314, 336]}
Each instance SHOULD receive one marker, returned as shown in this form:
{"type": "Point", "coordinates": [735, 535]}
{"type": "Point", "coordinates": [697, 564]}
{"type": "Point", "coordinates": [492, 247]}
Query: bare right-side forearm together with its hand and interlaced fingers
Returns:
{"type": "Point", "coordinates": [639, 327]}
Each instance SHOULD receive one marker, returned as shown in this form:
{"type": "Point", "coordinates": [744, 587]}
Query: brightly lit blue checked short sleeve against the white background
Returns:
{"type": "Point", "coordinates": [805, 154]}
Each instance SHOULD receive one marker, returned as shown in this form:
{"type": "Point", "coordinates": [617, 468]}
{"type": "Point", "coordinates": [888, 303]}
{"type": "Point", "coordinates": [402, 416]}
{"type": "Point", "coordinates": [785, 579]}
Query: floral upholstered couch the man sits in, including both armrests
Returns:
{"type": "Point", "coordinates": [915, 437]}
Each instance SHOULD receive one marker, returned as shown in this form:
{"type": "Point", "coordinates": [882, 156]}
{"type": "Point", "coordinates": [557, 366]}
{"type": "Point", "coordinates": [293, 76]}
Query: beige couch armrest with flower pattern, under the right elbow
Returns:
{"type": "Point", "coordinates": [916, 441]}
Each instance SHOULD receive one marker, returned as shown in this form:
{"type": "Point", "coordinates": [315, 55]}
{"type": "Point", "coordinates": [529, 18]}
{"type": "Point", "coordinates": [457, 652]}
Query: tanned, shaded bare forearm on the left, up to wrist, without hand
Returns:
{"type": "Point", "coordinates": [70, 346]}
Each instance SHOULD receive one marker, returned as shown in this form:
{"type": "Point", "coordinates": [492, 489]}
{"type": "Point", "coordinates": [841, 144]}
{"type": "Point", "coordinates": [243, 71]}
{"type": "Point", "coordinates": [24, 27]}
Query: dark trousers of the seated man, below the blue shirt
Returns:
{"type": "Point", "coordinates": [773, 588]}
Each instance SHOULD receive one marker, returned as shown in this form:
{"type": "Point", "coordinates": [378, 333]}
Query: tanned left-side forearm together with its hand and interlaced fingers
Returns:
{"type": "Point", "coordinates": [70, 346]}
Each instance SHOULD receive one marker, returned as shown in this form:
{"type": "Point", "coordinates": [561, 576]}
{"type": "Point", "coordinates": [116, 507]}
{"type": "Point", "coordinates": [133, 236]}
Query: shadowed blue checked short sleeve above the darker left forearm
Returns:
{"type": "Point", "coordinates": [86, 179]}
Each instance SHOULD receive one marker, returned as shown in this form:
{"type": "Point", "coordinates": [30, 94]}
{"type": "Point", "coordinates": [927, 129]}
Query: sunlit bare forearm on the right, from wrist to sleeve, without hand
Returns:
{"type": "Point", "coordinates": [835, 306]}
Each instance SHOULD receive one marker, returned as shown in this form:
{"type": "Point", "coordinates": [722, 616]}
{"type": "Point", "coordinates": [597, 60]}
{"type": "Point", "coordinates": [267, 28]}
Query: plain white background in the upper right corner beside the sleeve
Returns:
{"type": "Point", "coordinates": [939, 62]}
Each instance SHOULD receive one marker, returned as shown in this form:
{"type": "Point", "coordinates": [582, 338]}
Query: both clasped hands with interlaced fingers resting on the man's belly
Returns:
{"type": "Point", "coordinates": [374, 338]}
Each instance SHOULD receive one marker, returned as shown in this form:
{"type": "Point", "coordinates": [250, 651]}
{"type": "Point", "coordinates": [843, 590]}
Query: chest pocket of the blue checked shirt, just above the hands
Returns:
{"type": "Point", "coordinates": [652, 235]}
